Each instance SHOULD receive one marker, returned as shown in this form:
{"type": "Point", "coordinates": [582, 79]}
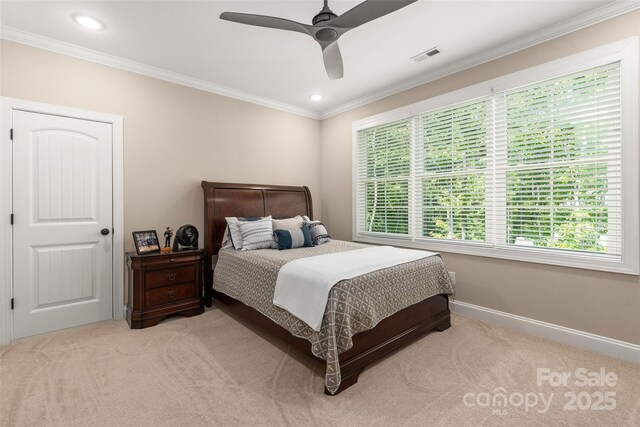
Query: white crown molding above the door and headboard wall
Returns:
{"type": "Point", "coordinates": [19, 36]}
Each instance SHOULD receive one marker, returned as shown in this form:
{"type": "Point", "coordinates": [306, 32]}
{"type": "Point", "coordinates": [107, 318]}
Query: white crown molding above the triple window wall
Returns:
{"type": "Point", "coordinates": [587, 19]}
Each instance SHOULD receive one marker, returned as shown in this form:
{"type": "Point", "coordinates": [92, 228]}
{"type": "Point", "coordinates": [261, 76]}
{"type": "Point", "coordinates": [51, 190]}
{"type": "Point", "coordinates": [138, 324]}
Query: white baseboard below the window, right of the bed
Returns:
{"type": "Point", "coordinates": [608, 346]}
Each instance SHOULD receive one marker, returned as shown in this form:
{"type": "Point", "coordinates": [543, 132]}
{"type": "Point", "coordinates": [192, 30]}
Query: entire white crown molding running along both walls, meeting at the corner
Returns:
{"type": "Point", "coordinates": [595, 16]}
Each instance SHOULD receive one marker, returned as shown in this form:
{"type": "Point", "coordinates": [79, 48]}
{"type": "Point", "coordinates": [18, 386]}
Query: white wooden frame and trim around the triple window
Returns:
{"type": "Point", "coordinates": [626, 52]}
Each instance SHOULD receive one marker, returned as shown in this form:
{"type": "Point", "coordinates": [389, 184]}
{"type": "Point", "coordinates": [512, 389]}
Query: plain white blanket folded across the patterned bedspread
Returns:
{"type": "Point", "coordinates": [303, 285]}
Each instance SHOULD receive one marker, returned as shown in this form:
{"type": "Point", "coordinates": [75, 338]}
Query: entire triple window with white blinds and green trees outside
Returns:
{"type": "Point", "coordinates": [538, 166]}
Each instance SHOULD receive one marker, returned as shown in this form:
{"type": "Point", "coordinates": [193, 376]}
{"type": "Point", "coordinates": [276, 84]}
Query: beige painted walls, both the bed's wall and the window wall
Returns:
{"type": "Point", "coordinates": [165, 123]}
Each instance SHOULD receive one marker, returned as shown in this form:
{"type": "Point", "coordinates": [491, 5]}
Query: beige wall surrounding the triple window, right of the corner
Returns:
{"type": "Point", "coordinates": [601, 303]}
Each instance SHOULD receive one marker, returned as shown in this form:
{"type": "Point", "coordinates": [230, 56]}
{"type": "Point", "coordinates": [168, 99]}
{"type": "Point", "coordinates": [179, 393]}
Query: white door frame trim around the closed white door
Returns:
{"type": "Point", "coordinates": [7, 107]}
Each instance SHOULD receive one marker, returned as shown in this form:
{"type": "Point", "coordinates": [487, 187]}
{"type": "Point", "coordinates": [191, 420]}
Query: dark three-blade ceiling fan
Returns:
{"type": "Point", "coordinates": [327, 27]}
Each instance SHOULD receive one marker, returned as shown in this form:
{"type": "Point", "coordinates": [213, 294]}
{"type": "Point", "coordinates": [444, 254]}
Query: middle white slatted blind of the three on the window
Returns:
{"type": "Point", "coordinates": [451, 169]}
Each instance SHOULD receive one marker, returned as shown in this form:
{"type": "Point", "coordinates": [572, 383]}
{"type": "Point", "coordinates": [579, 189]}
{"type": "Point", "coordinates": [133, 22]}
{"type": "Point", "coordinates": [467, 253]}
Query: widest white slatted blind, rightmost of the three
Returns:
{"type": "Point", "coordinates": [558, 162]}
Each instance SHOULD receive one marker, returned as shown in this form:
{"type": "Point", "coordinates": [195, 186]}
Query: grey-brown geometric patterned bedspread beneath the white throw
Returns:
{"type": "Point", "coordinates": [354, 305]}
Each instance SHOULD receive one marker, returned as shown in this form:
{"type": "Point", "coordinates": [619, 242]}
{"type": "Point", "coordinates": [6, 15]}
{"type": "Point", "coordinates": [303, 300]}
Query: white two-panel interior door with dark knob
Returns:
{"type": "Point", "coordinates": [62, 199]}
